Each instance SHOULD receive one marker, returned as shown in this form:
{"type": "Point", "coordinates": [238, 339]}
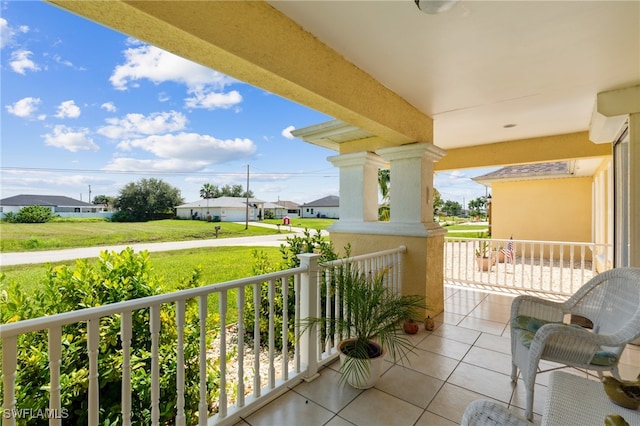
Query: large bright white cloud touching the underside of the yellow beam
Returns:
{"type": "Point", "coordinates": [154, 64]}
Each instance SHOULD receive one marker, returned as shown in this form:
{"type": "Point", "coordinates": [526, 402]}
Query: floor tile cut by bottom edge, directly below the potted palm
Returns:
{"type": "Point", "coordinates": [365, 410]}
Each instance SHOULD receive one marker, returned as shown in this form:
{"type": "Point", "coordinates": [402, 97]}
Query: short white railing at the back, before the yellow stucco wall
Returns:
{"type": "Point", "coordinates": [547, 268]}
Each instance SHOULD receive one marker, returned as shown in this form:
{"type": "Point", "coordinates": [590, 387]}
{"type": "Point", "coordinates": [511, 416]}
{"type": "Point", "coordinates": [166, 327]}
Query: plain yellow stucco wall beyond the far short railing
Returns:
{"type": "Point", "coordinates": [545, 209]}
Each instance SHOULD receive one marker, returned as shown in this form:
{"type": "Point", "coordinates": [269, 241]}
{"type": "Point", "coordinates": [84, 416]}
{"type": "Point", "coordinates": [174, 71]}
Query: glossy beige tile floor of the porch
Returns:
{"type": "Point", "coordinates": [466, 357]}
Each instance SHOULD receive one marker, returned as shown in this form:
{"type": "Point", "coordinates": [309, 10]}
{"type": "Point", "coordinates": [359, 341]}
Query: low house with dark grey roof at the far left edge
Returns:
{"type": "Point", "coordinates": [58, 204]}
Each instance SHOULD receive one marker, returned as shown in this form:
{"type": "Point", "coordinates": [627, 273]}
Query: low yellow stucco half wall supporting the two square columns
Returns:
{"type": "Point", "coordinates": [422, 263]}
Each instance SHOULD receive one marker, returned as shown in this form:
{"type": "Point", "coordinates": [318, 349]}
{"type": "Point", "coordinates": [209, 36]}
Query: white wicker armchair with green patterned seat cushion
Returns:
{"type": "Point", "coordinates": [610, 300]}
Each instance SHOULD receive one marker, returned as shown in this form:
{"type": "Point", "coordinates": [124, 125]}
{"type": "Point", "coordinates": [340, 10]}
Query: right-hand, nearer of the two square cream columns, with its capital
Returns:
{"type": "Point", "coordinates": [412, 181]}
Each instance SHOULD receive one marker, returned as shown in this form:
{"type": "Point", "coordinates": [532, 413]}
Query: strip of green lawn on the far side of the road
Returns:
{"type": "Point", "coordinates": [17, 237]}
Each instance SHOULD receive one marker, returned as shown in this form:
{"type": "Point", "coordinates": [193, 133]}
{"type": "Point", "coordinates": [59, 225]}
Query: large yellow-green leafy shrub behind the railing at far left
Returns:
{"type": "Point", "coordinates": [115, 278]}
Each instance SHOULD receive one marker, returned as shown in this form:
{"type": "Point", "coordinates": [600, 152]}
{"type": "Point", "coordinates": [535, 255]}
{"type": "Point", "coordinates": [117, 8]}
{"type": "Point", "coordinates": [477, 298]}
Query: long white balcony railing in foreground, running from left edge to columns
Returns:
{"type": "Point", "coordinates": [267, 376]}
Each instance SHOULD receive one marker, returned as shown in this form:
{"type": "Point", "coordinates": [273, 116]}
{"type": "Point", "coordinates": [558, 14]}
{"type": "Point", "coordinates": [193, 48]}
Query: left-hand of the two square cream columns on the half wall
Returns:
{"type": "Point", "coordinates": [358, 186]}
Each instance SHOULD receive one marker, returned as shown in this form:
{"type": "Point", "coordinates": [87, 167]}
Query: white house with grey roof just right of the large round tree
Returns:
{"type": "Point", "coordinates": [222, 209]}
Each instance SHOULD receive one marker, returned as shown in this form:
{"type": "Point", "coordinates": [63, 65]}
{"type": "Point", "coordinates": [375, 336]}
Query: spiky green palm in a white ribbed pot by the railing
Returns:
{"type": "Point", "coordinates": [370, 326]}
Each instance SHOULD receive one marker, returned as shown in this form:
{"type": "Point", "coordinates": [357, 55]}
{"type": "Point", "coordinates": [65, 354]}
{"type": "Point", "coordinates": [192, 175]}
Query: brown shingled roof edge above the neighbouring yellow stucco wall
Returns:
{"type": "Point", "coordinates": [559, 169]}
